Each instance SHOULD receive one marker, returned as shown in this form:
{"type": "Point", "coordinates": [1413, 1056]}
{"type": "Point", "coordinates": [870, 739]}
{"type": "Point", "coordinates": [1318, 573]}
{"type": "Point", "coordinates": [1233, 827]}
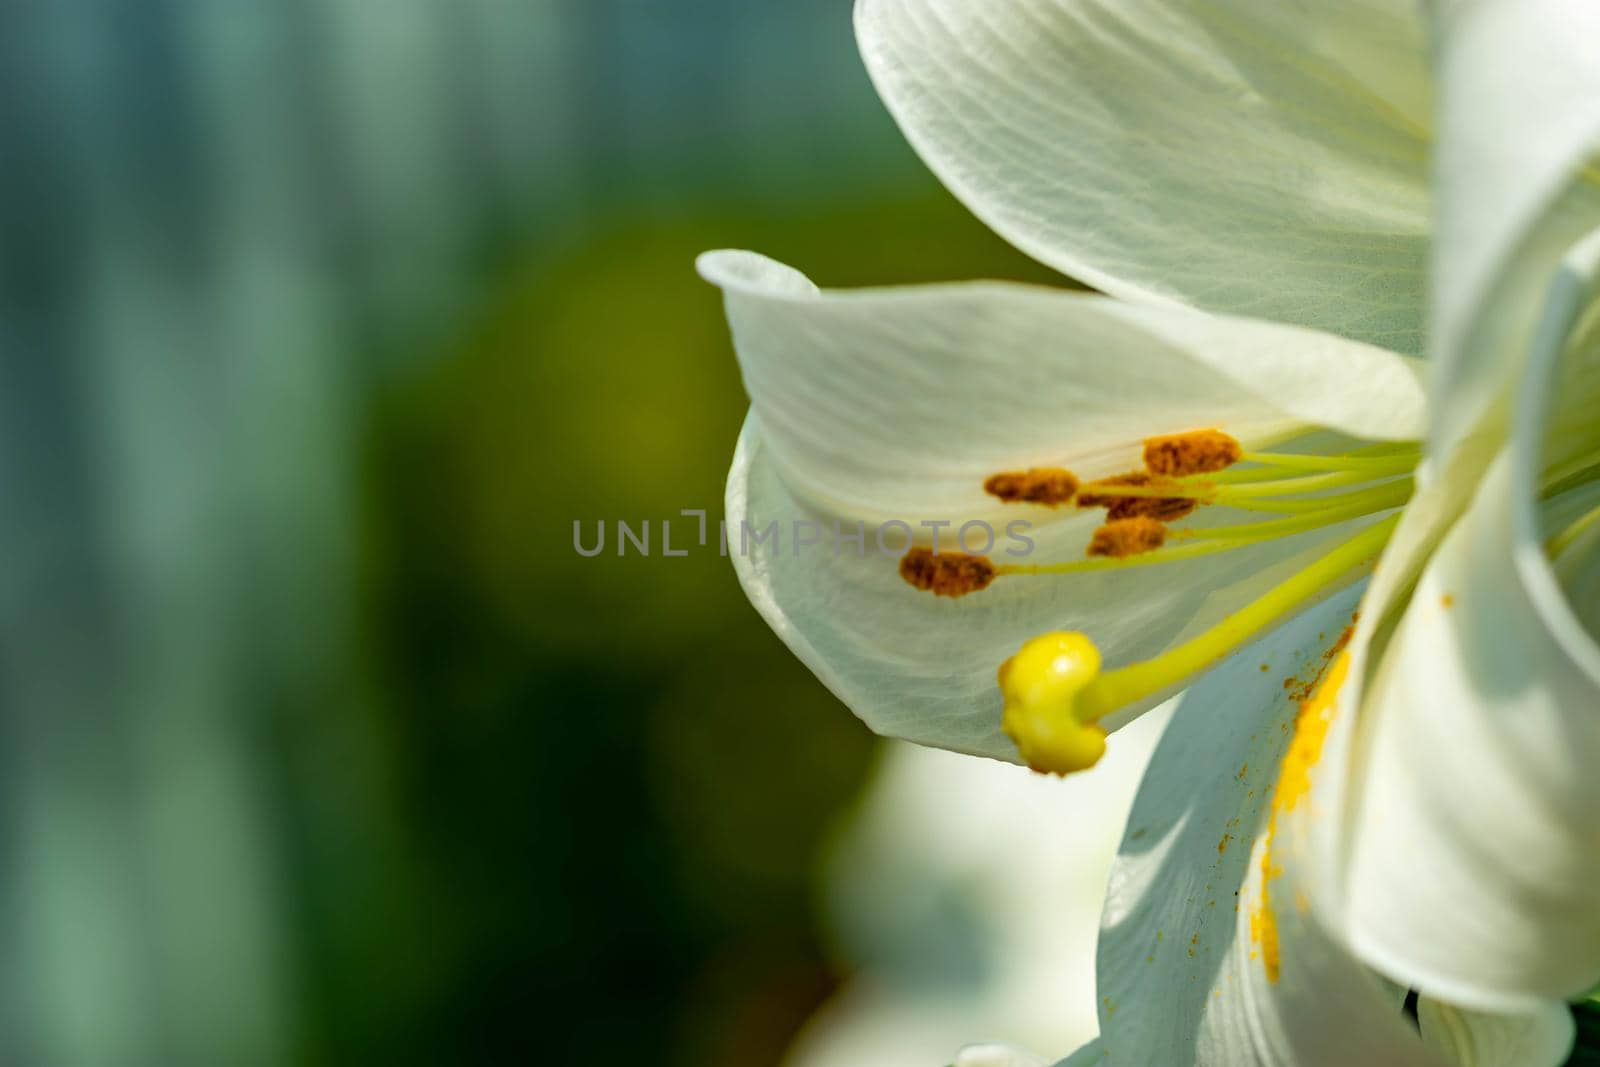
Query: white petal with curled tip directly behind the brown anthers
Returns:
{"type": "Point", "coordinates": [900, 402]}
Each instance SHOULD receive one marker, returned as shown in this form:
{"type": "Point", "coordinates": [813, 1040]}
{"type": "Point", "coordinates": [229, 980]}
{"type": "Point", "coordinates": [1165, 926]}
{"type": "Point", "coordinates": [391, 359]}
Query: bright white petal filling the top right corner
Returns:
{"type": "Point", "coordinates": [1518, 186]}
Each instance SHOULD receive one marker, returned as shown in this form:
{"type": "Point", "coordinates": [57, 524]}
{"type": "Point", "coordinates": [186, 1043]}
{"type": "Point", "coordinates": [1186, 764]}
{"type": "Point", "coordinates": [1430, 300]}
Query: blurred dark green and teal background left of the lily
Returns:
{"type": "Point", "coordinates": [322, 324]}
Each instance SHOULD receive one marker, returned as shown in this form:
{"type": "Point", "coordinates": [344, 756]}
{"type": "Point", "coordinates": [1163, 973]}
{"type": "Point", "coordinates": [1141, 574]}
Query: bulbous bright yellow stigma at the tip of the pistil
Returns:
{"type": "Point", "coordinates": [1041, 687]}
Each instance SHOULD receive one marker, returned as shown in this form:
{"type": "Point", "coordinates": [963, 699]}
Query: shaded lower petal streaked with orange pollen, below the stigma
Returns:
{"type": "Point", "coordinates": [1186, 948]}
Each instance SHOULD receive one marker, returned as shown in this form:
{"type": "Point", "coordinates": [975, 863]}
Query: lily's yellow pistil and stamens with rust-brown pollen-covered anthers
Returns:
{"type": "Point", "coordinates": [1055, 690]}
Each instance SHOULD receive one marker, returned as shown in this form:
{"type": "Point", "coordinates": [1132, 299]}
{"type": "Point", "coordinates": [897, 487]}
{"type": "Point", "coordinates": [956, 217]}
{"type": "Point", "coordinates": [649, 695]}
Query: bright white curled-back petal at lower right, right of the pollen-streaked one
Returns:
{"type": "Point", "coordinates": [1476, 873]}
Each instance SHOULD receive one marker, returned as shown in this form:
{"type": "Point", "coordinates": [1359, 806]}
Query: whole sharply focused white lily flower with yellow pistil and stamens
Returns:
{"type": "Point", "coordinates": [1206, 161]}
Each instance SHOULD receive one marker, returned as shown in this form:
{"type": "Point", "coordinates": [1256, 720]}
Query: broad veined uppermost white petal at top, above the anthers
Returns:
{"type": "Point", "coordinates": [1252, 159]}
